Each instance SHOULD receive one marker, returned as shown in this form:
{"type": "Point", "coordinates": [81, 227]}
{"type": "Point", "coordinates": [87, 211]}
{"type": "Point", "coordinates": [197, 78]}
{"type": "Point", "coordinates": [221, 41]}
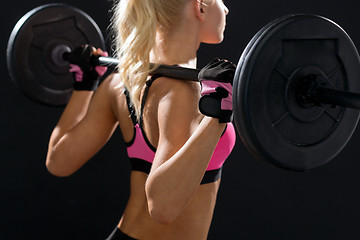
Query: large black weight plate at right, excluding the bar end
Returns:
{"type": "Point", "coordinates": [269, 119]}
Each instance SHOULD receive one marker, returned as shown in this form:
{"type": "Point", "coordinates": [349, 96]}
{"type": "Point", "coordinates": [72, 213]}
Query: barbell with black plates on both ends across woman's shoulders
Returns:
{"type": "Point", "coordinates": [295, 90]}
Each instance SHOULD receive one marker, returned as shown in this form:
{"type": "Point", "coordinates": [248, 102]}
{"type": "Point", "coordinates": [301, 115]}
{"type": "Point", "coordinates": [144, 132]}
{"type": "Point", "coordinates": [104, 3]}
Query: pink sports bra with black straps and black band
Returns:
{"type": "Point", "coordinates": [141, 153]}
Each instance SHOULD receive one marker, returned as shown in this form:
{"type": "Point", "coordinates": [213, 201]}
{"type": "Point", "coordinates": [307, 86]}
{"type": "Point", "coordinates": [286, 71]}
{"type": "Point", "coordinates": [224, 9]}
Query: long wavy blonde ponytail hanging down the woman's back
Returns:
{"type": "Point", "coordinates": [135, 29]}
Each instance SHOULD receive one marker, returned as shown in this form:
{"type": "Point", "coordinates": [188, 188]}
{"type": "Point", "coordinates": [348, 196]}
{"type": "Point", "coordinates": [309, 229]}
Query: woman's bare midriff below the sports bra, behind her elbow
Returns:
{"type": "Point", "coordinates": [192, 223]}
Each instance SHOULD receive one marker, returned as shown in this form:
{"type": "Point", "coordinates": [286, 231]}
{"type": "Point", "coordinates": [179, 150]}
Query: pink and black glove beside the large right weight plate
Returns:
{"type": "Point", "coordinates": [216, 80]}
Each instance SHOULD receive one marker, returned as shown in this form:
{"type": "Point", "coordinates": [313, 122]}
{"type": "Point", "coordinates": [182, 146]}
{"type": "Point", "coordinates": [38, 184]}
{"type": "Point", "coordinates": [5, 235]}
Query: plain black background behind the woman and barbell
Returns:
{"type": "Point", "coordinates": [256, 201]}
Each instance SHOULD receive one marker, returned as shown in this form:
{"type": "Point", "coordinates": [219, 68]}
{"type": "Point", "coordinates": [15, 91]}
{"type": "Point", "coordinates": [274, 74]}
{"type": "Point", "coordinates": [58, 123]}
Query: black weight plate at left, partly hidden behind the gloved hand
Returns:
{"type": "Point", "coordinates": [36, 45]}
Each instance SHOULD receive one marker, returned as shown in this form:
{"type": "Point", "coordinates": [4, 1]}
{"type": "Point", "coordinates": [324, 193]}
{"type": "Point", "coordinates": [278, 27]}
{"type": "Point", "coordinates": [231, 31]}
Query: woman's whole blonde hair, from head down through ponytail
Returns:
{"type": "Point", "coordinates": [135, 23]}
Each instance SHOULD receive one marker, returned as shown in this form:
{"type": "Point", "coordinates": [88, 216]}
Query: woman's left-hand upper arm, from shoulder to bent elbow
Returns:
{"type": "Point", "coordinates": [87, 137]}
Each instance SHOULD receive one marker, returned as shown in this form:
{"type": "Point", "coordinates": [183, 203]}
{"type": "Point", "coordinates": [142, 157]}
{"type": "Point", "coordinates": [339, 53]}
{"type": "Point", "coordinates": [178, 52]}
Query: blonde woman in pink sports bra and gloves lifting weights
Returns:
{"type": "Point", "coordinates": [172, 146]}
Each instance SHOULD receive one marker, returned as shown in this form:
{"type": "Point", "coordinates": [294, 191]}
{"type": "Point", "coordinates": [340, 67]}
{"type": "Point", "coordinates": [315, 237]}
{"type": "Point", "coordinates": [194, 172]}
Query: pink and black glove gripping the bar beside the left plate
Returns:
{"type": "Point", "coordinates": [86, 74]}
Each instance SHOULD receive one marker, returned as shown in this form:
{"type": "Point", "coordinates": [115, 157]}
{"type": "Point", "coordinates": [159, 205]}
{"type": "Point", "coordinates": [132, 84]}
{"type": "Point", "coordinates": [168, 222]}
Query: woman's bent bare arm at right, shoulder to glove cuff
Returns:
{"type": "Point", "coordinates": [184, 149]}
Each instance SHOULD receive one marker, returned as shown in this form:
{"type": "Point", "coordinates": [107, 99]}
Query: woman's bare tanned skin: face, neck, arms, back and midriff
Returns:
{"type": "Point", "coordinates": [173, 204]}
